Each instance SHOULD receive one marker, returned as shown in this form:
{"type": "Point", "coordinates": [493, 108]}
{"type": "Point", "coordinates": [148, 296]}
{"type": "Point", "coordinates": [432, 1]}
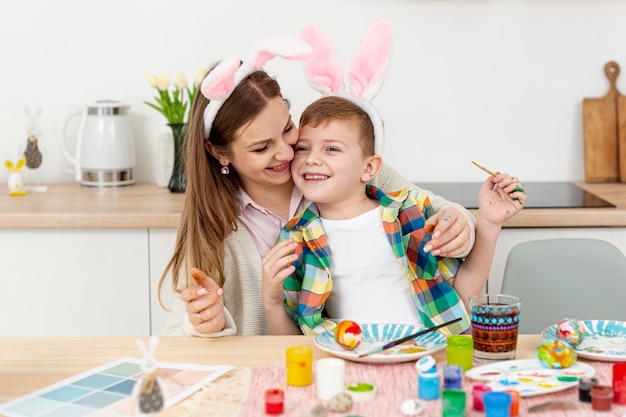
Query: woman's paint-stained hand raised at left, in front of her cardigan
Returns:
{"type": "Point", "coordinates": [204, 304]}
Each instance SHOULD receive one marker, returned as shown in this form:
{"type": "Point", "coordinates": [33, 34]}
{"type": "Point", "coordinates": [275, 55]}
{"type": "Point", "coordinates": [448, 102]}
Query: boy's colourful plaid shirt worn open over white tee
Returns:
{"type": "Point", "coordinates": [403, 214]}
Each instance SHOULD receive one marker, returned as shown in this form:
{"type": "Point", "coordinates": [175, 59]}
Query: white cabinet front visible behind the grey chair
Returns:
{"type": "Point", "coordinates": [512, 236]}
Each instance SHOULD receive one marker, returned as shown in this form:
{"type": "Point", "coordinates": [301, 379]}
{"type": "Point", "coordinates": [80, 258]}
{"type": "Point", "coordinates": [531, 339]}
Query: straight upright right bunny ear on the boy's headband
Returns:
{"type": "Point", "coordinates": [370, 65]}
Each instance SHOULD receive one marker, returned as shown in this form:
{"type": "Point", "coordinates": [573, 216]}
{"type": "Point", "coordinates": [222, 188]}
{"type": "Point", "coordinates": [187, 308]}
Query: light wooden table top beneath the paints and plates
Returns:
{"type": "Point", "coordinates": [28, 364]}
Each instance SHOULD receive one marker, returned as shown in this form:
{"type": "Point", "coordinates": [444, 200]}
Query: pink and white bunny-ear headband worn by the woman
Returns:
{"type": "Point", "coordinates": [226, 76]}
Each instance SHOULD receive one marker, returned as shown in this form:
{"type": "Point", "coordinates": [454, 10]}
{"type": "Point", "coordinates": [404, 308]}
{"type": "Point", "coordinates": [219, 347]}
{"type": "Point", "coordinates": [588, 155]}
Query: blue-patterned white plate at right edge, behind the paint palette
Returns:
{"type": "Point", "coordinates": [605, 340]}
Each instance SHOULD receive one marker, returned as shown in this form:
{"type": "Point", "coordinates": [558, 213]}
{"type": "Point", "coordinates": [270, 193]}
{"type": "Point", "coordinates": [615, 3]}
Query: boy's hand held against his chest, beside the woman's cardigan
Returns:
{"type": "Point", "coordinates": [276, 267]}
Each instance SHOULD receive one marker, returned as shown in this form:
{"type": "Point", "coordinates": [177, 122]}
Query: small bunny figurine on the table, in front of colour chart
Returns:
{"type": "Point", "coordinates": [147, 390]}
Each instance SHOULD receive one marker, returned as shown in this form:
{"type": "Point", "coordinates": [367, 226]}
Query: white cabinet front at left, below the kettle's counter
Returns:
{"type": "Point", "coordinates": [66, 282]}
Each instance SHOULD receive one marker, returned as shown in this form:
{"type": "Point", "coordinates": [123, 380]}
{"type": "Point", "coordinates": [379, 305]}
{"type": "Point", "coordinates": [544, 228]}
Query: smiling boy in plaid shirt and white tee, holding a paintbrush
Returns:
{"type": "Point", "coordinates": [358, 253]}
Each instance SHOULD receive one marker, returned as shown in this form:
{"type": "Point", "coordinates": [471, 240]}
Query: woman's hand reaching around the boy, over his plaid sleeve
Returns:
{"type": "Point", "coordinates": [451, 233]}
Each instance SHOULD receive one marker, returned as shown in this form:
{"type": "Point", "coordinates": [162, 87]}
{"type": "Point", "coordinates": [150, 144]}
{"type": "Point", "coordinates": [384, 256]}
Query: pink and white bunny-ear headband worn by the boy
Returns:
{"type": "Point", "coordinates": [366, 76]}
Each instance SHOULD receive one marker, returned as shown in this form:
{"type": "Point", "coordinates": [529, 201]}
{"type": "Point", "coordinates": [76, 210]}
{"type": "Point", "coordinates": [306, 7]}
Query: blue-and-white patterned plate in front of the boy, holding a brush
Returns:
{"type": "Point", "coordinates": [376, 335]}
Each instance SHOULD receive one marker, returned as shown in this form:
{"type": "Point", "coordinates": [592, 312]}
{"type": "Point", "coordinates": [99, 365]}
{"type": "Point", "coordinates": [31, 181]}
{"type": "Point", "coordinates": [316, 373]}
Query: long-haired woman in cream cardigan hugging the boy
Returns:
{"type": "Point", "coordinates": [240, 193]}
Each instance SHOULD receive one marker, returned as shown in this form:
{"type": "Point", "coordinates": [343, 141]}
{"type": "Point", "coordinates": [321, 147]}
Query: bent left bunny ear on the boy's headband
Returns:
{"type": "Point", "coordinates": [322, 68]}
